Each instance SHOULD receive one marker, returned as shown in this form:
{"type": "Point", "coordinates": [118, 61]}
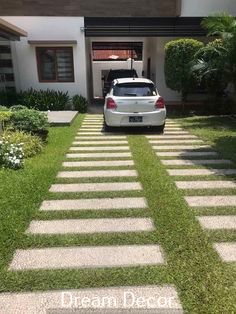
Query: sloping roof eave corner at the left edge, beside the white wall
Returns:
{"type": "Point", "coordinates": [9, 31]}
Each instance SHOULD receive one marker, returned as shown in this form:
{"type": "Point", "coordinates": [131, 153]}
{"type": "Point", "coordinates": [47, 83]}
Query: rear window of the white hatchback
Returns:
{"type": "Point", "coordinates": [134, 89]}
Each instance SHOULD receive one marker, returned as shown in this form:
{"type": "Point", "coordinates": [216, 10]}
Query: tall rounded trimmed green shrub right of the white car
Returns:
{"type": "Point", "coordinates": [178, 57]}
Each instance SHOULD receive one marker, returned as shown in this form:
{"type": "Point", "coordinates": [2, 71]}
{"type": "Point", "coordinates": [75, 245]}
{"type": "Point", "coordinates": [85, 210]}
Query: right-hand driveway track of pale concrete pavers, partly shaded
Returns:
{"type": "Point", "coordinates": [188, 158]}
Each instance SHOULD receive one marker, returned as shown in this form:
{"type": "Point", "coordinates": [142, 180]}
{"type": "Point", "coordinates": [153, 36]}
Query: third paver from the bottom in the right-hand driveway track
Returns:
{"type": "Point", "coordinates": [211, 201]}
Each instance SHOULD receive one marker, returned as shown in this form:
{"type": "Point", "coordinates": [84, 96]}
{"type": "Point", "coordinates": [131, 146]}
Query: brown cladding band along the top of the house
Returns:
{"type": "Point", "coordinates": [91, 8]}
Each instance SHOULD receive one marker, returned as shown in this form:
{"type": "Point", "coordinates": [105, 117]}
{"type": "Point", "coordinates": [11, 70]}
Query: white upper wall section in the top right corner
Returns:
{"type": "Point", "coordinates": [206, 7]}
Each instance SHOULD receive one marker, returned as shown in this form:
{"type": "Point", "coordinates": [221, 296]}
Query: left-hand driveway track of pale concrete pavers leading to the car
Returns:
{"type": "Point", "coordinates": [90, 149]}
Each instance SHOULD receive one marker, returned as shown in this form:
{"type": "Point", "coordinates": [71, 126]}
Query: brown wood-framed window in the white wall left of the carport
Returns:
{"type": "Point", "coordinates": [55, 64]}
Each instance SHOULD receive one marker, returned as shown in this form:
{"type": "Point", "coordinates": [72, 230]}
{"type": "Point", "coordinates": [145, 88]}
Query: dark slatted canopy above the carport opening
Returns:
{"type": "Point", "coordinates": [143, 27]}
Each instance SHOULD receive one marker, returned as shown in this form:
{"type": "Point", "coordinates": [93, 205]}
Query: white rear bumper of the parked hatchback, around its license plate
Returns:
{"type": "Point", "coordinates": [118, 119]}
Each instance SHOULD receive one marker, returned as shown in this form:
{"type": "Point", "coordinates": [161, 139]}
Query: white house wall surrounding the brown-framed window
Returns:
{"type": "Point", "coordinates": [49, 28]}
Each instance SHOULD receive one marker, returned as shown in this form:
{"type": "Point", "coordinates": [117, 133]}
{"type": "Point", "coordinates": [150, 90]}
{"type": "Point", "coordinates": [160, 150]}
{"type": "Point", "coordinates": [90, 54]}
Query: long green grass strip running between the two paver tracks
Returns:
{"type": "Point", "coordinates": [204, 283]}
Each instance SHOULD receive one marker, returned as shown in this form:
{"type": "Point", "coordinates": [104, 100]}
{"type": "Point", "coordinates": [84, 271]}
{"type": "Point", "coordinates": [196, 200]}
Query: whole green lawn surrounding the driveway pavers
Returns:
{"type": "Point", "coordinates": [204, 283]}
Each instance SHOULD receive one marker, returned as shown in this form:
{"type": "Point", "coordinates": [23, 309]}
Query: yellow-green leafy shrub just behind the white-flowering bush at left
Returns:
{"type": "Point", "coordinates": [32, 145]}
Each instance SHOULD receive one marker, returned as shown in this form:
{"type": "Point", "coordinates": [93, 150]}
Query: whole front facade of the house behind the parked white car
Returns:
{"type": "Point", "coordinates": [55, 41]}
